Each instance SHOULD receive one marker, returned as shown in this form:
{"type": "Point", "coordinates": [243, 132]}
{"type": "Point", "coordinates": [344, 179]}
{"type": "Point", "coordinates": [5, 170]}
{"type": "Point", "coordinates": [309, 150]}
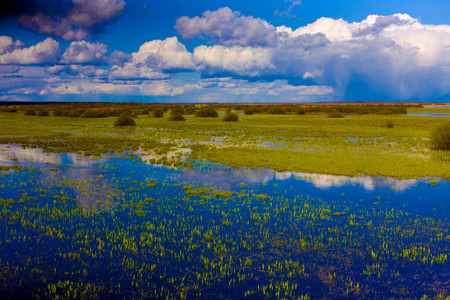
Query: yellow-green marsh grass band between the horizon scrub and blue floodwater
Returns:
{"type": "Point", "coordinates": [348, 146]}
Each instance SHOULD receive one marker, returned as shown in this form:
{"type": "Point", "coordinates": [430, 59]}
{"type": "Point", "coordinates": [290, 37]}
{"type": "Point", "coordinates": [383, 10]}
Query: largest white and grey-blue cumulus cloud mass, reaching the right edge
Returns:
{"type": "Point", "coordinates": [394, 56]}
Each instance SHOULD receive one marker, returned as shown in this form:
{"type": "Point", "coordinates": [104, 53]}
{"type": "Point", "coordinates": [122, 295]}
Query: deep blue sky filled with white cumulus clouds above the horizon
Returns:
{"type": "Point", "coordinates": [224, 51]}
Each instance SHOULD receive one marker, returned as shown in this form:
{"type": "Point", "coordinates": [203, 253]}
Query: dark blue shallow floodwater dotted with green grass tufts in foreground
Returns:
{"type": "Point", "coordinates": [116, 227]}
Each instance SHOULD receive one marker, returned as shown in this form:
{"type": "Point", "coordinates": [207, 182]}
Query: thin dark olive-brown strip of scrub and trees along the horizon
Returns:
{"type": "Point", "coordinates": [103, 110]}
